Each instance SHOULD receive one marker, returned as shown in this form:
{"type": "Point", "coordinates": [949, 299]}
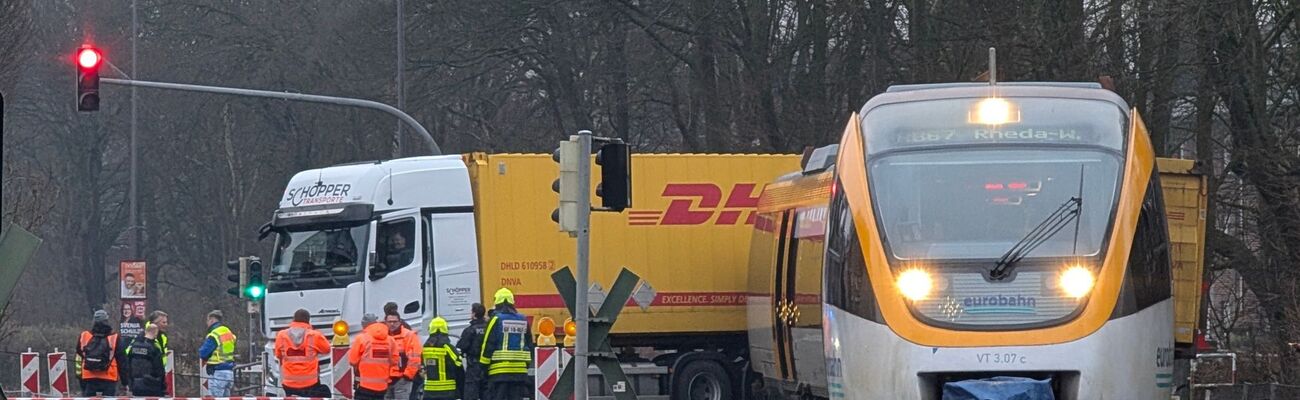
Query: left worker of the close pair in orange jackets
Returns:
{"type": "Point", "coordinates": [374, 354]}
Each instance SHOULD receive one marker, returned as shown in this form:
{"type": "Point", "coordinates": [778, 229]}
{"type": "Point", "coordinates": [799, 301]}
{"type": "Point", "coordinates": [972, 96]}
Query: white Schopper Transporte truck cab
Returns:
{"type": "Point", "coordinates": [352, 238]}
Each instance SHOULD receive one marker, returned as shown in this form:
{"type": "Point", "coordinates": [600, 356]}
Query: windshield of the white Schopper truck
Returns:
{"type": "Point", "coordinates": [318, 259]}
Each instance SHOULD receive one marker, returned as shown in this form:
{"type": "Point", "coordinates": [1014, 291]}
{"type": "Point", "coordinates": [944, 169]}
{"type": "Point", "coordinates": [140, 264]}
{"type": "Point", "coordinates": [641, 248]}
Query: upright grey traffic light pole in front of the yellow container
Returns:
{"type": "Point", "coordinates": [584, 251]}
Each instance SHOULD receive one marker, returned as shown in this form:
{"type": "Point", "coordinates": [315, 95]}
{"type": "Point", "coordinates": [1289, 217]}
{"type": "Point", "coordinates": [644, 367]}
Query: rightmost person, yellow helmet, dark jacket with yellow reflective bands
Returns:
{"type": "Point", "coordinates": [508, 351]}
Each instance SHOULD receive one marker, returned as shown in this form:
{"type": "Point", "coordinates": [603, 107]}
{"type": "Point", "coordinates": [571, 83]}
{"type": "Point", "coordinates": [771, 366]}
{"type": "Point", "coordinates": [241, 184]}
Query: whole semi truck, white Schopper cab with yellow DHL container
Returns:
{"type": "Point", "coordinates": [437, 234]}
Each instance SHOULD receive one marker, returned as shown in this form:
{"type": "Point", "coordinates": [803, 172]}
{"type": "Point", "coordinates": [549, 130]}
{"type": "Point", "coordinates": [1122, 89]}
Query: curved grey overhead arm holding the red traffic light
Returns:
{"type": "Point", "coordinates": [348, 102]}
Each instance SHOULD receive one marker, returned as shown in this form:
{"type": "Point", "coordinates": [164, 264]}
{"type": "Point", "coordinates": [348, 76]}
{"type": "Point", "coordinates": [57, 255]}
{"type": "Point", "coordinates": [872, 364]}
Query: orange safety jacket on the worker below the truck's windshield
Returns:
{"type": "Point", "coordinates": [298, 350]}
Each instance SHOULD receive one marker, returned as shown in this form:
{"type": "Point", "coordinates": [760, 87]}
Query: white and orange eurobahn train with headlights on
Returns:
{"type": "Point", "coordinates": [964, 234]}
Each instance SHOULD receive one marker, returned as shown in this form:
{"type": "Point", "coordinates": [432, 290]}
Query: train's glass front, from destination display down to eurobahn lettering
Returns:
{"type": "Point", "coordinates": [955, 194]}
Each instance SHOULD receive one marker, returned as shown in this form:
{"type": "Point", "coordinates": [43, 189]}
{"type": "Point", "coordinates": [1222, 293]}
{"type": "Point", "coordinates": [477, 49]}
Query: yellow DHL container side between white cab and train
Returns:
{"type": "Point", "coordinates": [687, 234]}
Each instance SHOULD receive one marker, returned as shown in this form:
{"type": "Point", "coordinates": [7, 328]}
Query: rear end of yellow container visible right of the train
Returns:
{"type": "Point", "coordinates": [1185, 210]}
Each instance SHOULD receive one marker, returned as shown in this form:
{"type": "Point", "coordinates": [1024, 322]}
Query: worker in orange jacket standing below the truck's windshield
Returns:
{"type": "Point", "coordinates": [298, 350]}
